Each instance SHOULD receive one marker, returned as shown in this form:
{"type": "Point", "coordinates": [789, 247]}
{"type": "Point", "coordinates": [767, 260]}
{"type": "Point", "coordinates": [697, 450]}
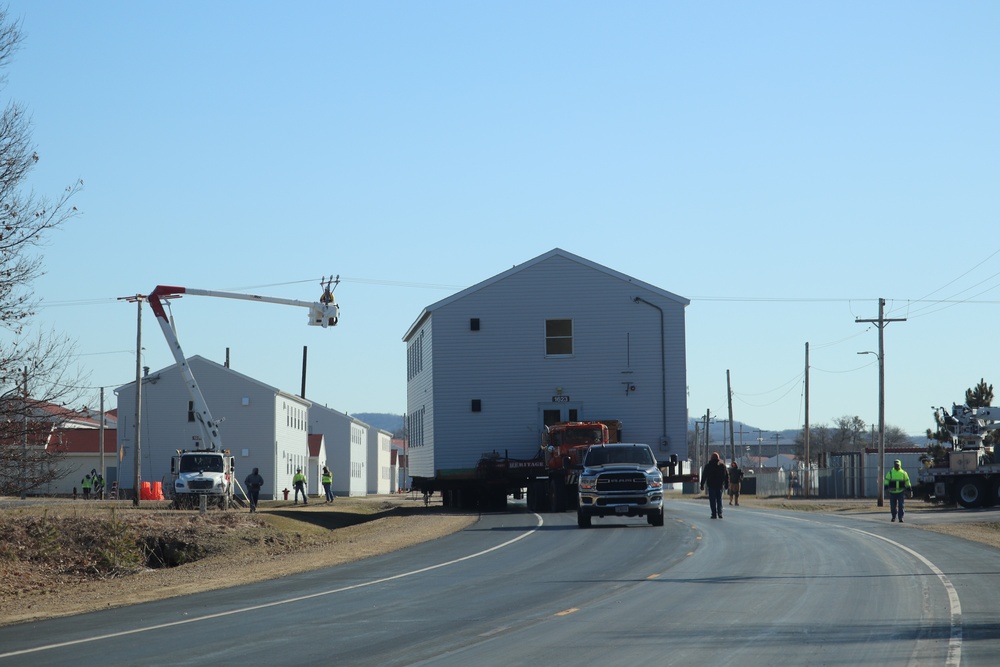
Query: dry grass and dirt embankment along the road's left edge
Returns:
{"type": "Point", "coordinates": [61, 557]}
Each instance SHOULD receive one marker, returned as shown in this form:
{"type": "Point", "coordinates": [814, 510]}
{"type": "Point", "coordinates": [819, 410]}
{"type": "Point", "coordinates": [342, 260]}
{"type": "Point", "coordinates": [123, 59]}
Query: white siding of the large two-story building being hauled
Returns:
{"type": "Point", "coordinates": [617, 345]}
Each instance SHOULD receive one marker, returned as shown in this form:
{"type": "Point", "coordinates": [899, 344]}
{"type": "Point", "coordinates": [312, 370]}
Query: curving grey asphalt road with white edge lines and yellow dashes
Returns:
{"type": "Point", "coordinates": [758, 588]}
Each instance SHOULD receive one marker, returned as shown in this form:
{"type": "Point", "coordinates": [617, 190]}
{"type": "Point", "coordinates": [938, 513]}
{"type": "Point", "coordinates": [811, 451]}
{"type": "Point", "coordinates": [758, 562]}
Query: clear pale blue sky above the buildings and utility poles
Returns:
{"type": "Point", "coordinates": [781, 164]}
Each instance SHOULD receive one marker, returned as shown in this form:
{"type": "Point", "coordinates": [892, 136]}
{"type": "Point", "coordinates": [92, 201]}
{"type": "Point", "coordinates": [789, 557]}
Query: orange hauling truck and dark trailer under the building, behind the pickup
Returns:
{"type": "Point", "coordinates": [548, 482]}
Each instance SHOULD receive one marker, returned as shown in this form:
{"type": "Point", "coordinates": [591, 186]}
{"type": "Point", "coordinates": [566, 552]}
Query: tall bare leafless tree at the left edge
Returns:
{"type": "Point", "coordinates": [34, 369]}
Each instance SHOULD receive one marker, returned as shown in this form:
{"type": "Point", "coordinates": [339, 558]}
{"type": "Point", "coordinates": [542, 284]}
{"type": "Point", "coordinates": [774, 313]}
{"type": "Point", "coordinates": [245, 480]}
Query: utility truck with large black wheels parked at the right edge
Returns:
{"type": "Point", "coordinates": [969, 475]}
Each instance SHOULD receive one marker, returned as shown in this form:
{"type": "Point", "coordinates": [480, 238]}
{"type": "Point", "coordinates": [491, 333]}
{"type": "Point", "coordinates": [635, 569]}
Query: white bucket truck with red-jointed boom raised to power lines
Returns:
{"type": "Point", "coordinates": [209, 470]}
